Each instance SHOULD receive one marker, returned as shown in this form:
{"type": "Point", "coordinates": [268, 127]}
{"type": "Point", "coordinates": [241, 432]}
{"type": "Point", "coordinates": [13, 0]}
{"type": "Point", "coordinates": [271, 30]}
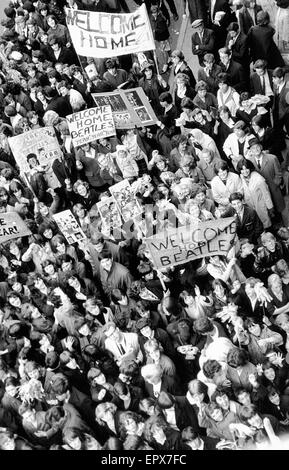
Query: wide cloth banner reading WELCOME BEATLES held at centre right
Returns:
{"type": "Point", "coordinates": [189, 243]}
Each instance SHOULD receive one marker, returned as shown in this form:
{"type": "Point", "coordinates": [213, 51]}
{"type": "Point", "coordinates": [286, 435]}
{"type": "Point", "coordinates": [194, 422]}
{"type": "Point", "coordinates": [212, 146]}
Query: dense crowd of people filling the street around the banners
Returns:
{"type": "Point", "coordinates": [99, 349]}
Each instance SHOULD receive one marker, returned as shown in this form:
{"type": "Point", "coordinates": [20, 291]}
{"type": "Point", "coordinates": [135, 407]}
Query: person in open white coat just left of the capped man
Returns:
{"type": "Point", "coordinates": [236, 145]}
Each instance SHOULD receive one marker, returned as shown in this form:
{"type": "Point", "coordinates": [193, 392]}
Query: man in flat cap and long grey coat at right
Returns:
{"type": "Point", "coordinates": [269, 167]}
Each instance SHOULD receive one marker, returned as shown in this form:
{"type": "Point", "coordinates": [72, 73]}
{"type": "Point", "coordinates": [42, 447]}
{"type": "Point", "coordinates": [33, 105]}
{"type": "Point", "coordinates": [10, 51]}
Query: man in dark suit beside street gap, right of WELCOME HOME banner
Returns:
{"type": "Point", "coordinates": [203, 40]}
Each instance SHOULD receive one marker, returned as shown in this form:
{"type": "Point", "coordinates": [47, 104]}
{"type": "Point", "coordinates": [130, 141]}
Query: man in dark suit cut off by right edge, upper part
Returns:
{"type": "Point", "coordinates": [281, 100]}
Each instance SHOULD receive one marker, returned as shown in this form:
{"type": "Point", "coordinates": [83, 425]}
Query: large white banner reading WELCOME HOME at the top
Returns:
{"type": "Point", "coordinates": [101, 35]}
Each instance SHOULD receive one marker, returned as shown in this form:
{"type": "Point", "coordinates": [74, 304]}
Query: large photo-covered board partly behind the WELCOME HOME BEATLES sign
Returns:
{"type": "Point", "coordinates": [130, 108]}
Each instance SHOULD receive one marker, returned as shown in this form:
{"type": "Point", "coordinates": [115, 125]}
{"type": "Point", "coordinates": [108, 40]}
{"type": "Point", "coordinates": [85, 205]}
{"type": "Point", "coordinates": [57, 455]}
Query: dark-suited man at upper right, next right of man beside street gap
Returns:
{"type": "Point", "coordinates": [236, 42]}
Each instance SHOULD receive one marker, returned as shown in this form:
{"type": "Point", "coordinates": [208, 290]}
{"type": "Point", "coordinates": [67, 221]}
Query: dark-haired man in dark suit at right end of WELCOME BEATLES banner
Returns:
{"type": "Point", "coordinates": [248, 224]}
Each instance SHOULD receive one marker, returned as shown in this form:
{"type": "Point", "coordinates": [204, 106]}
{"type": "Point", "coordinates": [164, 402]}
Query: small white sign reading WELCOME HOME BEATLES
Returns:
{"type": "Point", "coordinates": [91, 124]}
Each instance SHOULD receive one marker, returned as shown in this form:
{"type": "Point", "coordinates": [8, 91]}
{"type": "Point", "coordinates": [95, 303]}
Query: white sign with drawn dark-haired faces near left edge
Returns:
{"type": "Point", "coordinates": [42, 142]}
